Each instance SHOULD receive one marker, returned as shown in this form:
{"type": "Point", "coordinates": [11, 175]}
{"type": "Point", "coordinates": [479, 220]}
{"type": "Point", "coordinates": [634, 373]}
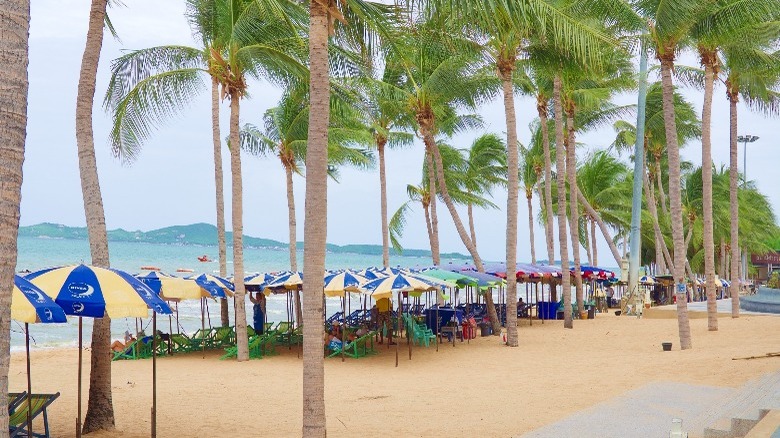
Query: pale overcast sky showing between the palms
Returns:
{"type": "Point", "coordinates": [172, 182]}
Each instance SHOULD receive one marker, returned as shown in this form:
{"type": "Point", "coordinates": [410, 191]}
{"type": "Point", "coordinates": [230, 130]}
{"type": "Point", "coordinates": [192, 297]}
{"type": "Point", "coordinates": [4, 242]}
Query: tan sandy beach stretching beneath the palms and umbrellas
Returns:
{"type": "Point", "coordinates": [480, 388]}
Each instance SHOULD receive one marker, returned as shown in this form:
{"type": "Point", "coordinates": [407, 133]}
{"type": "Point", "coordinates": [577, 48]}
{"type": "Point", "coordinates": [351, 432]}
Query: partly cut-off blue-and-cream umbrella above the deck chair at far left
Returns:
{"type": "Point", "coordinates": [31, 305]}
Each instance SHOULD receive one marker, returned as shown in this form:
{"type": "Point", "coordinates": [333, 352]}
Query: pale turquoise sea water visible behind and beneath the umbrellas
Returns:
{"type": "Point", "coordinates": [38, 253]}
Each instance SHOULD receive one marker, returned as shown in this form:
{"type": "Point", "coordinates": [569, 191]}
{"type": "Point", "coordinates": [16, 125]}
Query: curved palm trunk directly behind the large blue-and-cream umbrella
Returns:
{"type": "Point", "coordinates": [100, 409]}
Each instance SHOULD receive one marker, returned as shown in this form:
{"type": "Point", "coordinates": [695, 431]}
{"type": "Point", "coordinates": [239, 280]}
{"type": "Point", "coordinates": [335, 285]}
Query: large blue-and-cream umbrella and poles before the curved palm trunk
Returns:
{"type": "Point", "coordinates": [90, 291]}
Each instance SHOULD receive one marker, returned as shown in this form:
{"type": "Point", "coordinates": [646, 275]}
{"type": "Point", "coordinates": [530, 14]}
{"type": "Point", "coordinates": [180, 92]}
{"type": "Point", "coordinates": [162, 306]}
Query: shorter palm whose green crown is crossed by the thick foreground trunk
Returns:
{"type": "Point", "coordinates": [284, 135]}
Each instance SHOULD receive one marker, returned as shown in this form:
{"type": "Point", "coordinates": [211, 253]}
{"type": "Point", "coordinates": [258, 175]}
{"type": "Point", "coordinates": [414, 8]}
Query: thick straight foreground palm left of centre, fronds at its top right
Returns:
{"type": "Point", "coordinates": [359, 22]}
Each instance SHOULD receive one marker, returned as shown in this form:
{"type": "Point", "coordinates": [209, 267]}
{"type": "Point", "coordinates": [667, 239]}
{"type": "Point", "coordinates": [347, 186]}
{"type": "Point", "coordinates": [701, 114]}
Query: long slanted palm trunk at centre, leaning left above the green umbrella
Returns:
{"type": "Point", "coordinates": [434, 151]}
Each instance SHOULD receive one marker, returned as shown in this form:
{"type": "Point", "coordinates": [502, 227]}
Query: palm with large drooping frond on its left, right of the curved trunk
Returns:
{"type": "Point", "coordinates": [248, 39]}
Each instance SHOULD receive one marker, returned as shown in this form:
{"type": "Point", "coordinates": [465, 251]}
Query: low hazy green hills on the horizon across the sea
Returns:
{"type": "Point", "coordinates": [201, 234]}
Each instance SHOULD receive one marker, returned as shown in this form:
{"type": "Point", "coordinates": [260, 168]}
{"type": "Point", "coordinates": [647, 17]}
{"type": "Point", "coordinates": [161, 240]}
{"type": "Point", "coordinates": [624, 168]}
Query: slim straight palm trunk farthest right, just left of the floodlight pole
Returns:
{"type": "Point", "coordinates": [734, 203]}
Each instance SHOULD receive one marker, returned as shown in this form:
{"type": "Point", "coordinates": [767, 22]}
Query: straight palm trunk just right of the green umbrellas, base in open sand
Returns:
{"type": "Point", "coordinates": [505, 67]}
